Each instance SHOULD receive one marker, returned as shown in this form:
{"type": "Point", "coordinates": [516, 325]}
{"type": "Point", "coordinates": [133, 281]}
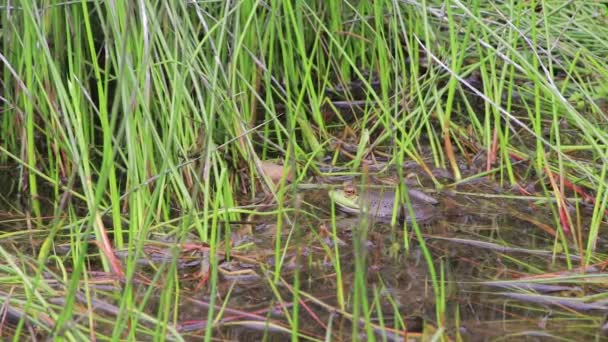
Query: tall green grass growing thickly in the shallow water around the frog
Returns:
{"type": "Point", "coordinates": [137, 138]}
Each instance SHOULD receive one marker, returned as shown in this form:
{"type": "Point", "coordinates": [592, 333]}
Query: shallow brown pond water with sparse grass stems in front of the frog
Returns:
{"type": "Point", "coordinates": [480, 241]}
